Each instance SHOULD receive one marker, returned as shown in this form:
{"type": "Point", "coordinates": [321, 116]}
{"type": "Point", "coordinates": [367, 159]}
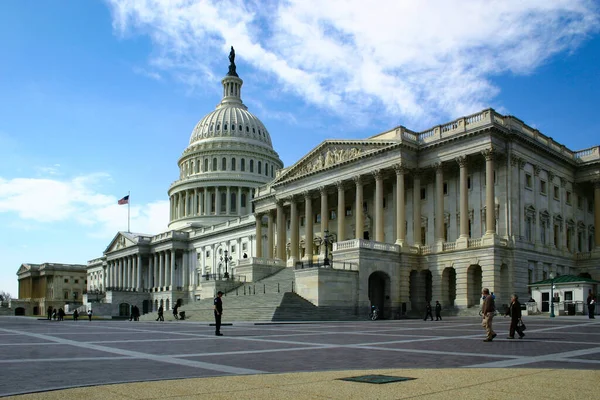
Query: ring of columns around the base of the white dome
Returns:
{"type": "Point", "coordinates": [198, 202]}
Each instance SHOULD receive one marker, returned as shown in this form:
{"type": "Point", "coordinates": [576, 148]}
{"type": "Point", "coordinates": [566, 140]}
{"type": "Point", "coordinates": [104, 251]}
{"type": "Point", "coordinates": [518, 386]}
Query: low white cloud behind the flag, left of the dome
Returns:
{"type": "Point", "coordinates": [75, 200]}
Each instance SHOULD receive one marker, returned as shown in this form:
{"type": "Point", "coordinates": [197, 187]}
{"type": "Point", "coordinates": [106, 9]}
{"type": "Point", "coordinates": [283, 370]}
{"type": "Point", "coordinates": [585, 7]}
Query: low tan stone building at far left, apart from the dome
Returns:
{"type": "Point", "coordinates": [49, 285]}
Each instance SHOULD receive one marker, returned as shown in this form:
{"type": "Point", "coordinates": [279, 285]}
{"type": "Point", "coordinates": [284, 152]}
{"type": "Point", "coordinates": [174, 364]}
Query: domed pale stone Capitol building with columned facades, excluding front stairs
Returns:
{"type": "Point", "coordinates": [395, 220]}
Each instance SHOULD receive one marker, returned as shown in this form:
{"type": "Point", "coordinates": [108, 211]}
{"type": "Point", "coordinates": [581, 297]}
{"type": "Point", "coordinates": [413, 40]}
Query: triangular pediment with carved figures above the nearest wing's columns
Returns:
{"type": "Point", "coordinates": [331, 153]}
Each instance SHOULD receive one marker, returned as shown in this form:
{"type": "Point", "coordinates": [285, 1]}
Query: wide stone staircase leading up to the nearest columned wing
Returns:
{"type": "Point", "coordinates": [270, 299]}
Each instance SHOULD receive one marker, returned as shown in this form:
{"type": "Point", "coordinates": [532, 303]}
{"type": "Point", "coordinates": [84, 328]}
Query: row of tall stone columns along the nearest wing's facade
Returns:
{"type": "Point", "coordinates": [379, 220]}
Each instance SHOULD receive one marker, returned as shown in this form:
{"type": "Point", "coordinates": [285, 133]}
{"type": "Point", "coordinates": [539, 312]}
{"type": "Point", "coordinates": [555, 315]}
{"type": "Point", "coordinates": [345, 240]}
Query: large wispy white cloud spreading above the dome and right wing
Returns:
{"type": "Point", "coordinates": [412, 59]}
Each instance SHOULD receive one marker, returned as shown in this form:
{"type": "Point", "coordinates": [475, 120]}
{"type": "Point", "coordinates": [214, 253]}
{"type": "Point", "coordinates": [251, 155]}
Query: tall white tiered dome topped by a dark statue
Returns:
{"type": "Point", "coordinates": [229, 155]}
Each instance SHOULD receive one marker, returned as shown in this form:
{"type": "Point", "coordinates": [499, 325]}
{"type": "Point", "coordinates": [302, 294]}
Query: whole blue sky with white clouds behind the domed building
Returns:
{"type": "Point", "coordinates": [98, 98]}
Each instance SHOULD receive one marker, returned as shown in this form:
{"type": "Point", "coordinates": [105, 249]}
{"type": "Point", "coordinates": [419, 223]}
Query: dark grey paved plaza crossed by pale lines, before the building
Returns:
{"type": "Point", "coordinates": [40, 355]}
